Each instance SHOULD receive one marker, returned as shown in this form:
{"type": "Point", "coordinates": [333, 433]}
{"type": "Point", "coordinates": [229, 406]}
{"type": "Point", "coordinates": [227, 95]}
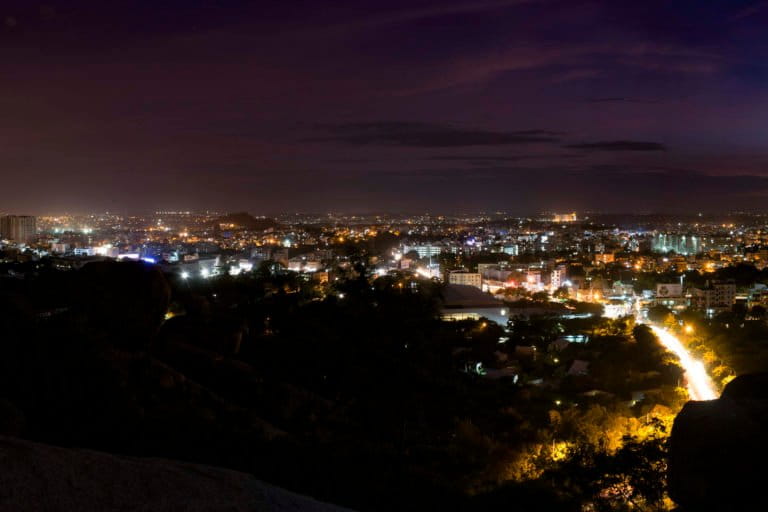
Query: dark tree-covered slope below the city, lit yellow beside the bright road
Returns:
{"type": "Point", "coordinates": [354, 392]}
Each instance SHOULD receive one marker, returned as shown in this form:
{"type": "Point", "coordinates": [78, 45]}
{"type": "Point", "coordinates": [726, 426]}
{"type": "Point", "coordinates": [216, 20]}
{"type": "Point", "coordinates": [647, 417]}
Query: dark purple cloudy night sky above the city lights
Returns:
{"type": "Point", "coordinates": [362, 106]}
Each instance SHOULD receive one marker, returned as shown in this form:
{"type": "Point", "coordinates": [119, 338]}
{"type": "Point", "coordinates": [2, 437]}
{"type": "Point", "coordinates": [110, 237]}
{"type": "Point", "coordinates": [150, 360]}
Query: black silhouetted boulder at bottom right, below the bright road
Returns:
{"type": "Point", "coordinates": [718, 452]}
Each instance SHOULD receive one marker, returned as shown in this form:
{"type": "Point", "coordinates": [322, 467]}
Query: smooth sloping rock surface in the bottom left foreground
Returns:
{"type": "Point", "coordinates": [45, 478]}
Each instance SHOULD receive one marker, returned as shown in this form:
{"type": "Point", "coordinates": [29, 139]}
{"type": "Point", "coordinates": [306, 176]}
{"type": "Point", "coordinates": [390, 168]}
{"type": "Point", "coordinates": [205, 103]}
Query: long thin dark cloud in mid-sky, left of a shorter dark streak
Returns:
{"type": "Point", "coordinates": [413, 134]}
